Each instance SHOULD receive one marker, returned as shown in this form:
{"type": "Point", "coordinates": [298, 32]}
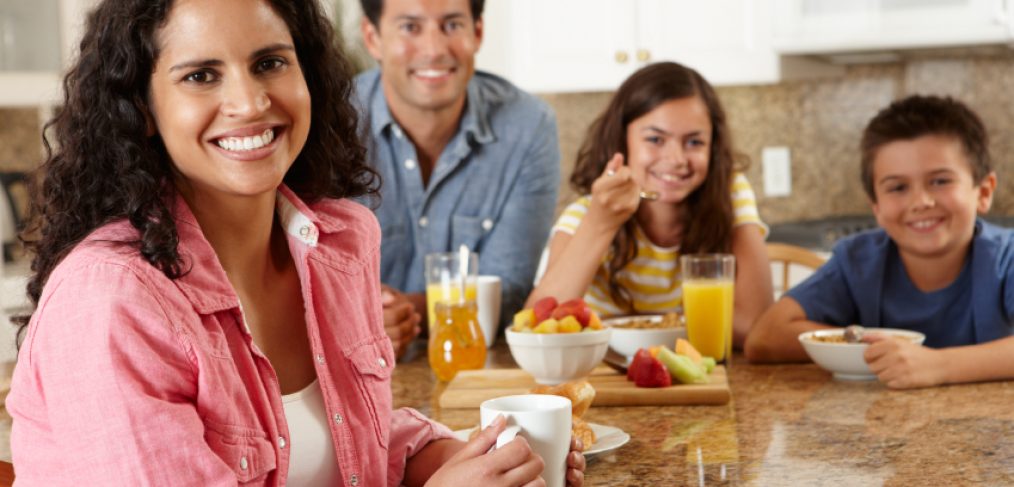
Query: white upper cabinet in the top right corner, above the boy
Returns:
{"type": "Point", "coordinates": [828, 27]}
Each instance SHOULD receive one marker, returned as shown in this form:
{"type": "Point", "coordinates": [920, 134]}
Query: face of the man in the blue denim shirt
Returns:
{"type": "Point", "coordinates": [427, 52]}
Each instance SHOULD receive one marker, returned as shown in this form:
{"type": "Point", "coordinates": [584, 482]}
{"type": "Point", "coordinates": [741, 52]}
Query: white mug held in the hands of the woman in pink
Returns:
{"type": "Point", "coordinates": [545, 422]}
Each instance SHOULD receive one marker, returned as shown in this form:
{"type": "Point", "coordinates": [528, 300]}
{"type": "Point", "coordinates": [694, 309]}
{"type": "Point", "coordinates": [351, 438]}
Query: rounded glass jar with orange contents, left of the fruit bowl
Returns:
{"type": "Point", "coordinates": [457, 341]}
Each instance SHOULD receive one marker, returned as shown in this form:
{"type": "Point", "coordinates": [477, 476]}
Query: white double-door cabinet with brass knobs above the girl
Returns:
{"type": "Point", "coordinates": [554, 46]}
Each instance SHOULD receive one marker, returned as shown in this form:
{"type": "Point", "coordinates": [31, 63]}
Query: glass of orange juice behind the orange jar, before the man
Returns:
{"type": "Point", "coordinates": [445, 281]}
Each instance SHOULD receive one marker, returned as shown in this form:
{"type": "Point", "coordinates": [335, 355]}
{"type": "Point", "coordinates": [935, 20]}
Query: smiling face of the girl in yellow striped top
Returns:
{"type": "Point", "coordinates": [669, 149]}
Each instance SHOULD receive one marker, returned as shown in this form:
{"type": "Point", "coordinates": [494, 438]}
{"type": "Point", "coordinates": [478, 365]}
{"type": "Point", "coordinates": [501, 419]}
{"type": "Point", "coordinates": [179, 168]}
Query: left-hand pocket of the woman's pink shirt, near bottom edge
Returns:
{"type": "Point", "coordinates": [248, 452]}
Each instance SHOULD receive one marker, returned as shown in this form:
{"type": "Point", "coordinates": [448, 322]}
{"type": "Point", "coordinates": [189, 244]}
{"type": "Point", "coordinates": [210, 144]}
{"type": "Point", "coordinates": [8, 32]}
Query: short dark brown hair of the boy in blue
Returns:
{"type": "Point", "coordinates": [917, 116]}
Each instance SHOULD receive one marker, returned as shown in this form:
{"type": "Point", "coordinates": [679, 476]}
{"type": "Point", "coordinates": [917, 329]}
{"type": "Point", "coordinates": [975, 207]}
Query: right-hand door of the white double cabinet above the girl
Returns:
{"type": "Point", "coordinates": [727, 41]}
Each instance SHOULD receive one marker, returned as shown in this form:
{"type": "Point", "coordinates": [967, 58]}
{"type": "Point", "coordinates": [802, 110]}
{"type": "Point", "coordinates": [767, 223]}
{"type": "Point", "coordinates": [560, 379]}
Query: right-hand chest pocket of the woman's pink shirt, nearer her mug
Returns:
{"type": "Point", "coordinates": [375, 363]}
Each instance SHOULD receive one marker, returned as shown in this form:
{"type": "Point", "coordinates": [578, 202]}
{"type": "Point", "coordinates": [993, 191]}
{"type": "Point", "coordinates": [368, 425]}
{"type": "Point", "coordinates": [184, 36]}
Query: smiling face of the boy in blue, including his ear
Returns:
{"type": "Point", "coordinates": [926, 198]}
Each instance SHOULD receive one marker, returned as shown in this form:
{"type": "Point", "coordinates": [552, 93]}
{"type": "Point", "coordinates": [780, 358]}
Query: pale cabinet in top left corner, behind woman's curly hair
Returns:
{"type": "Point", "coordinates": [39, 39]}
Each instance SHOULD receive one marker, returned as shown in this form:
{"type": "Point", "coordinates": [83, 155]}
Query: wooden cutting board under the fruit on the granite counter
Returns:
{"type": "Point", "coordinates": [470, 388]}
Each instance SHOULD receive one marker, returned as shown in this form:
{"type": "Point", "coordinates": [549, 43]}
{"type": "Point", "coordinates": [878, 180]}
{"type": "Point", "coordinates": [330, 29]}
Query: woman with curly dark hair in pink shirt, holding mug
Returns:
{"type": "Point", "coordinates": [207, 297]}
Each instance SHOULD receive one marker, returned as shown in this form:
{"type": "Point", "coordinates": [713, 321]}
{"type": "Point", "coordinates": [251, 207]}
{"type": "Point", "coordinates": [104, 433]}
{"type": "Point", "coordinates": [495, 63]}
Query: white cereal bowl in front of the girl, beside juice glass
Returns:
{"type": "Point", "coordinates": [643, 331]}
